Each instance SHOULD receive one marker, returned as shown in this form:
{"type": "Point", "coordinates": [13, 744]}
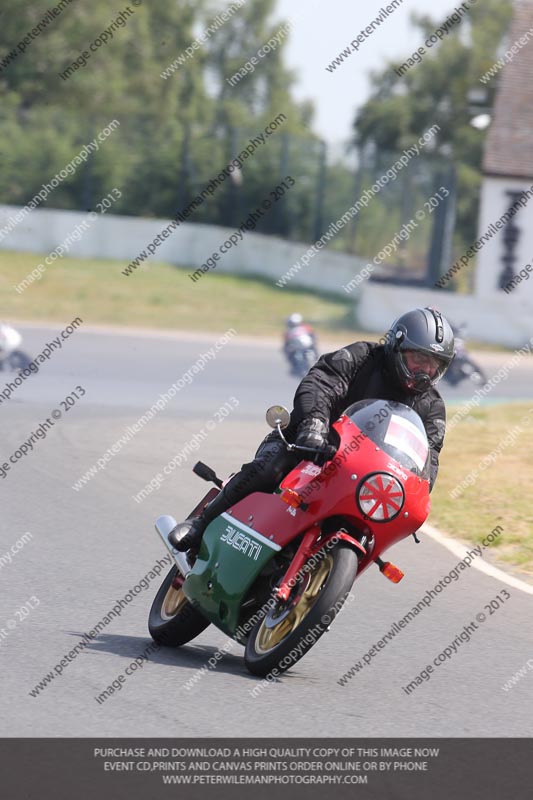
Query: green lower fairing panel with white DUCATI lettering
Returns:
{"type": "Point", "coordinates": [241, 553]}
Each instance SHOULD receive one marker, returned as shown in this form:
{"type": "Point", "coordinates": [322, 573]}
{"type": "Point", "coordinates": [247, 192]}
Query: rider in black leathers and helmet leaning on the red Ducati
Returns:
{"type": "Point", "coordinates": [417, 351]}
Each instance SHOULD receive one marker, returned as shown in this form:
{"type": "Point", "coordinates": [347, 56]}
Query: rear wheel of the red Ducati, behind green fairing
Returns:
{"type": "Point", "coordinates": [173, 620]}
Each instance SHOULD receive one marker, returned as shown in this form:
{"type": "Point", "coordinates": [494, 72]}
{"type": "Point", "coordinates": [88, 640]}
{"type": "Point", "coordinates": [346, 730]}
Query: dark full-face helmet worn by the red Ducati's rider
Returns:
{"type": "Point", "coordinates": [423, 330]}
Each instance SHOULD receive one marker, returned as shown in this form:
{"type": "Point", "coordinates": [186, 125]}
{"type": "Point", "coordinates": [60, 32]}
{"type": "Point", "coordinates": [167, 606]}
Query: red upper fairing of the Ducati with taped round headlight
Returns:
{"type": "Point", "coordinates": [361, 482]}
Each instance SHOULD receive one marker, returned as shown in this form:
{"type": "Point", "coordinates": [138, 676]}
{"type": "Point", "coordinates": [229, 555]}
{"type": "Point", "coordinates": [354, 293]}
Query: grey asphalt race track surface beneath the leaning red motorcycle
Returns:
{"type": "Point", "coordinates": [89, 547]}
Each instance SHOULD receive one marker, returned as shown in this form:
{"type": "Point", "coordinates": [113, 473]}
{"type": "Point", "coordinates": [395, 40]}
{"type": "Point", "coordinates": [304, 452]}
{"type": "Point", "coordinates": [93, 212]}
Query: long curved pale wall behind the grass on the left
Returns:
{"type": "Point", "coordinates": [113, 236]}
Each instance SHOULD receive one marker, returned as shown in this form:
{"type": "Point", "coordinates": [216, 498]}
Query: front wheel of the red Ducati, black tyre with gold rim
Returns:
{"type": "Point", "coordinates": [290, 629]}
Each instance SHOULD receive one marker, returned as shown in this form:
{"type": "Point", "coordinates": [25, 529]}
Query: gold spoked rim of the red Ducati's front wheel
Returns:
{"type": "Point", "coordinates": [270, 637]}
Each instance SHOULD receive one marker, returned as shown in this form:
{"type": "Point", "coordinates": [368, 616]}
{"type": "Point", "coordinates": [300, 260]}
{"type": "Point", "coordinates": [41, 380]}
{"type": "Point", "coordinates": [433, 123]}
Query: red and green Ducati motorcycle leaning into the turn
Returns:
{"type": "Point", "coordinates": [273, 571]}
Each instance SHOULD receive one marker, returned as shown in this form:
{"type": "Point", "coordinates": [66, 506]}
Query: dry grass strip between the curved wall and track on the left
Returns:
{"type": "Point", "coordinates": [163, 296]}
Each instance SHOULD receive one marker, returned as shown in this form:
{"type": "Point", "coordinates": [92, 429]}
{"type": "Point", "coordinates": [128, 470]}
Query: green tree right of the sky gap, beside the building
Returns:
{"type": "Point", "coordinates": [437, 91]}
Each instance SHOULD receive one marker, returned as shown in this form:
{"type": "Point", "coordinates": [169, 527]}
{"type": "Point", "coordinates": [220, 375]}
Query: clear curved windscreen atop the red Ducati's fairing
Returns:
{"type": "Point", "coordinates": [396, 429]}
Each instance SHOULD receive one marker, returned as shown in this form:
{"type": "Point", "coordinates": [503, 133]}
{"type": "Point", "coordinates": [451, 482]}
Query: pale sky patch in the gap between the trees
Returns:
{"type": "Point", "coordinates": [324, 29]}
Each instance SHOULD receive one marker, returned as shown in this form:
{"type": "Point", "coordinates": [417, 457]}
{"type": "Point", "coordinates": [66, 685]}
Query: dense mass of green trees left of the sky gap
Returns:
{"type": "Point", "coordinates": [176, 132]}
